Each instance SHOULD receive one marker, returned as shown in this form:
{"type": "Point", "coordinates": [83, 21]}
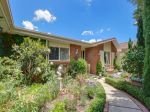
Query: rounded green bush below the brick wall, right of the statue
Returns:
{"type": "Point", "coordinates": [77, 67]}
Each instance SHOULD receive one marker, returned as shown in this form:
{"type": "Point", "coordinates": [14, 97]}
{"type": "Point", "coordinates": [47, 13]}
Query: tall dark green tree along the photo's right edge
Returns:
{"type": "Point", "coordinates": [147, 47]}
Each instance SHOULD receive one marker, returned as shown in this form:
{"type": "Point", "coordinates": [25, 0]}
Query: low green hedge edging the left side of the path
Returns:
{"type": "Point", "coordinates": [97, 104]}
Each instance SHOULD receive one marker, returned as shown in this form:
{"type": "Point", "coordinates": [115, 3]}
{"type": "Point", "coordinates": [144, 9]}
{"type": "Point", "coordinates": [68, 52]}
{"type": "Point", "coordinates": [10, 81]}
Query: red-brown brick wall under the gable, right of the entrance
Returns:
{"type": "Point", "coordinates": [92, 57]}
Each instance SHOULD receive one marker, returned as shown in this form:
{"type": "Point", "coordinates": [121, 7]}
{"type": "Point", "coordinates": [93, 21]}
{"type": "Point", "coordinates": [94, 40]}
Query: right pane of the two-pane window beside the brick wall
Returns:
{"type": "Point", "coordinates": [64, 53]}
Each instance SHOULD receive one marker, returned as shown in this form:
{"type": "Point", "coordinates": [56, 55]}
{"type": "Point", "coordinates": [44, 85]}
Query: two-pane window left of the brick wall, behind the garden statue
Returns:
{"type": "Point", "coordinates": [59, 54]}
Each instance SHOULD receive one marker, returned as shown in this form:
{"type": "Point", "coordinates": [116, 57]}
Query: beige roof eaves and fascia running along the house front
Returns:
{"type": "Point", "coordinates": [8, 26]}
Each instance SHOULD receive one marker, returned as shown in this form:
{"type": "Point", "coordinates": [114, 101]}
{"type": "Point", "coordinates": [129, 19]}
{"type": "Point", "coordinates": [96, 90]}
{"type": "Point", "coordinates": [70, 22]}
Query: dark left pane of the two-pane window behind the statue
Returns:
{"type": "Point", "coordinates": [54, 54]}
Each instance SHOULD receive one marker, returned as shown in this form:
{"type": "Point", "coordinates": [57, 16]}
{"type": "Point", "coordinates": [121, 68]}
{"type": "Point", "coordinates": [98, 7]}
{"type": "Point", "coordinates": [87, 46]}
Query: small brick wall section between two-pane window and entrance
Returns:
{"type": "Point", "coordinates": [73, 49]}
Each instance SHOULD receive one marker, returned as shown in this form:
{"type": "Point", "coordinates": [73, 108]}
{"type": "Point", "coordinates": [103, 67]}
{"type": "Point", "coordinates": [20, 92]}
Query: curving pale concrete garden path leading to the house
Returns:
{"type": "Point", "coordinates": [119, 101]}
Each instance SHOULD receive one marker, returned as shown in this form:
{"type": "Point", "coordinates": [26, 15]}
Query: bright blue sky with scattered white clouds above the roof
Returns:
{"type": "Point", "coordinates": [85, 20]}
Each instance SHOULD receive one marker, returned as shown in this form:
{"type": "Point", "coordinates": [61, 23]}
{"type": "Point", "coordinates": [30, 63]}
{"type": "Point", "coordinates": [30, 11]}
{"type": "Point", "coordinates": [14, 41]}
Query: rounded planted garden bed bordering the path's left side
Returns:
{"type": "Point", "coordinates": [78, 95]}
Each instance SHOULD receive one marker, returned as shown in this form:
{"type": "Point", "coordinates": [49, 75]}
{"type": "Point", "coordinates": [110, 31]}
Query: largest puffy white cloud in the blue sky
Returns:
{"type": "Point", "coordinates": [44, 15]}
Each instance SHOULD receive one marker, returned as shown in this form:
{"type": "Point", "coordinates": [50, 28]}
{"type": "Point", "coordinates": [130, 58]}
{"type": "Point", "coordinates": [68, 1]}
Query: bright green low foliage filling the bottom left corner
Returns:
{"type": "Point", "coordinates": [26, 99]}
